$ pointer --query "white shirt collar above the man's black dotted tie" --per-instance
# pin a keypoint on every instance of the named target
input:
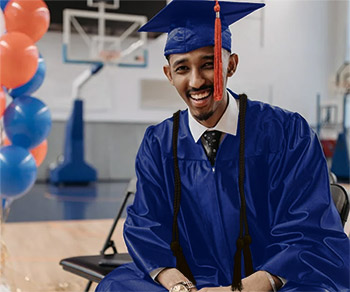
(227, 123)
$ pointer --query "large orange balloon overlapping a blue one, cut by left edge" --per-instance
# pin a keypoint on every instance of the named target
(18, 58)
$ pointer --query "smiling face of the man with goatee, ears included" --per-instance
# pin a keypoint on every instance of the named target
(192, 74)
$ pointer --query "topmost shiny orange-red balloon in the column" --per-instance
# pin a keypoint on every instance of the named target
(31, 17)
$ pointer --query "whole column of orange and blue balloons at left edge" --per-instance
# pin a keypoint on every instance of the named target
(26, 120)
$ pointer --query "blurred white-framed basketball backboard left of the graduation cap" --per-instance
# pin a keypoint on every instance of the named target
(98, 36)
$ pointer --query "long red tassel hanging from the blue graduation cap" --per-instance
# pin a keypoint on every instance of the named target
(218, 81)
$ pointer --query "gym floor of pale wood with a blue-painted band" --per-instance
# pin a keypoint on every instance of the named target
(51, 223)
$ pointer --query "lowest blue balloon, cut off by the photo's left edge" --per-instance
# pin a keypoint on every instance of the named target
(17, 171)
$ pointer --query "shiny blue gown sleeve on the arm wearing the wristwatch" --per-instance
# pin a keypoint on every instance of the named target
(148, 241)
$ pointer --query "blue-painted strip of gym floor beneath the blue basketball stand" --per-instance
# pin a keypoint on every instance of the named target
(46, 202)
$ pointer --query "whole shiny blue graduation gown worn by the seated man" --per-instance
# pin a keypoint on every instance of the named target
(295, 228)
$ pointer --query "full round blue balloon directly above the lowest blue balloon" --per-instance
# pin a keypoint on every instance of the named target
(27, 121)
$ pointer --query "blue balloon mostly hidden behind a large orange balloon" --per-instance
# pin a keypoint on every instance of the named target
(33, 84)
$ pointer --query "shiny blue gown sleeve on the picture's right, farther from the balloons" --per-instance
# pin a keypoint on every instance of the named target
(307, 242)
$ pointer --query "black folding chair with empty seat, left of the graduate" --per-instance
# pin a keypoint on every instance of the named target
(95, 267)
